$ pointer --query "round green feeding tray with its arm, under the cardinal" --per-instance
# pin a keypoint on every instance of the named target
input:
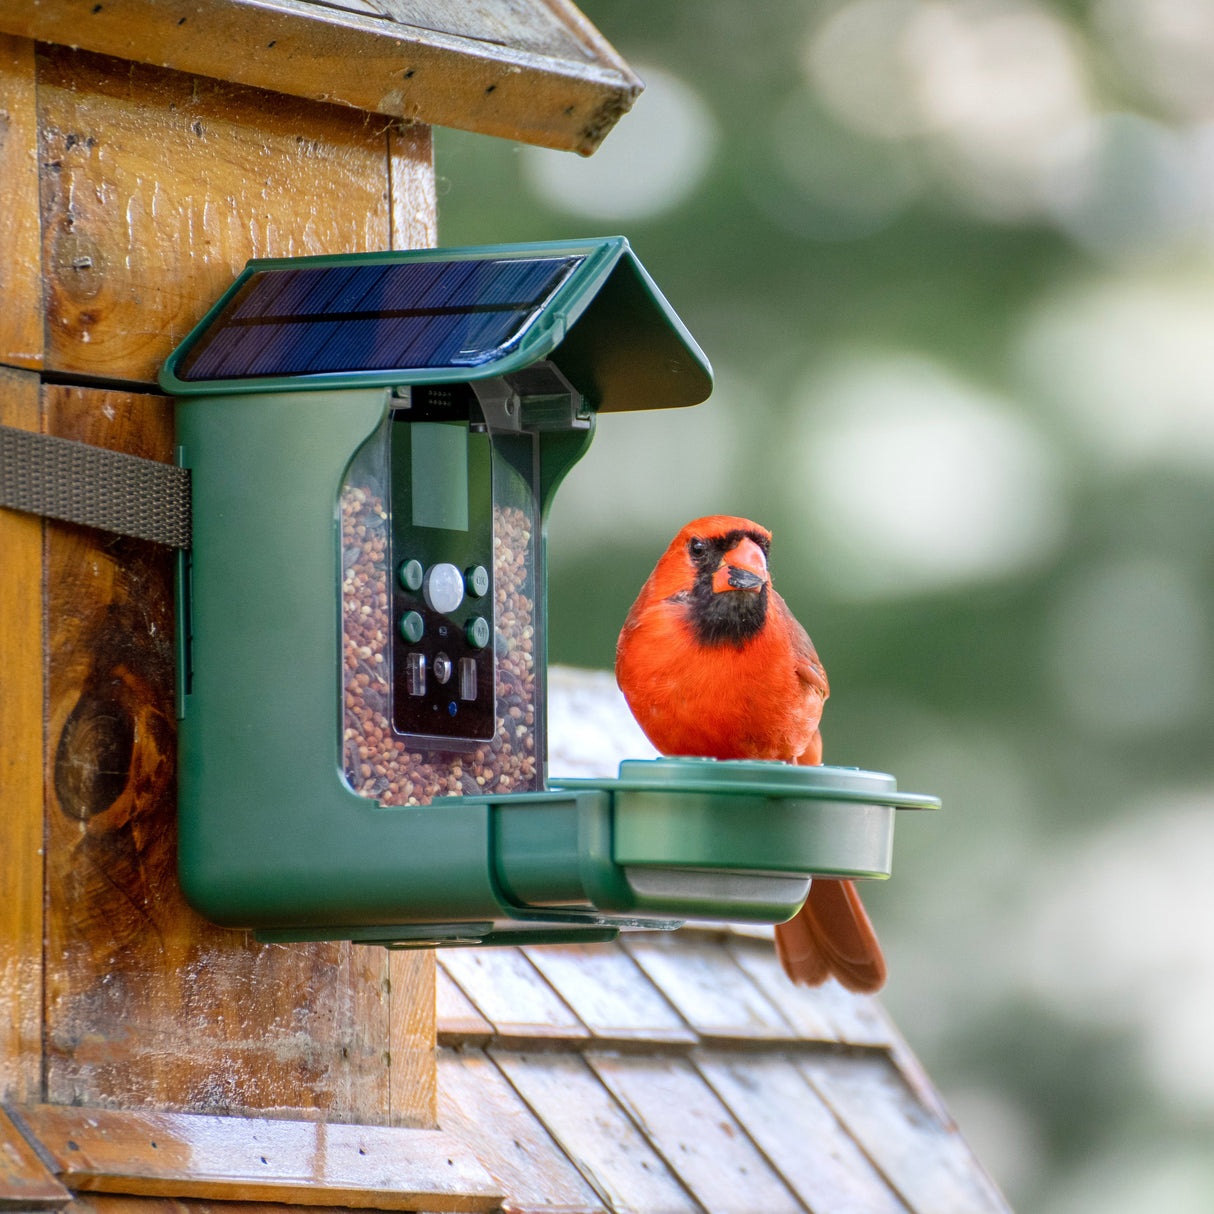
(685, 837)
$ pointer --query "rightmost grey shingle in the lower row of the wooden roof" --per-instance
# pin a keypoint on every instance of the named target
(924, 1159)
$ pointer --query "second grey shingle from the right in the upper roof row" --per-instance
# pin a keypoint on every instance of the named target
(704, 982)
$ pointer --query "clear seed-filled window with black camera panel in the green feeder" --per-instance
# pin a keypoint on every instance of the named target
(440, 614)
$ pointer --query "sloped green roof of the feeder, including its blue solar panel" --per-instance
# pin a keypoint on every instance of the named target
(439, 316)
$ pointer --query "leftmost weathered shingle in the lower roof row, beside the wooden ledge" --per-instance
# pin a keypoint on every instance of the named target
(478, 1105)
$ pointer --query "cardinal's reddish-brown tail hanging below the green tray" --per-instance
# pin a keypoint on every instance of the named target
(832, 935)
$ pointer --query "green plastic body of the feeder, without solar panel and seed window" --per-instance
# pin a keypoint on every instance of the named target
(277, 833)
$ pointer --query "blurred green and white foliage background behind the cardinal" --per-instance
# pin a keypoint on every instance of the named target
(954, 264)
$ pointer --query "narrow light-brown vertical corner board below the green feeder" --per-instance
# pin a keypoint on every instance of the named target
(412, 1074)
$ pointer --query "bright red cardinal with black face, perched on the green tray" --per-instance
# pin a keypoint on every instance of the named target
(713, 663)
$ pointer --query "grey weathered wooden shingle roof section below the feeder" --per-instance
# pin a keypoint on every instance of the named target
(671, 1073)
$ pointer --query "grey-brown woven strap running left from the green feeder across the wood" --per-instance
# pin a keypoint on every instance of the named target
(82, 484)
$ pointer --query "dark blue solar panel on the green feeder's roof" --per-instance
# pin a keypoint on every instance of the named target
(376, 317)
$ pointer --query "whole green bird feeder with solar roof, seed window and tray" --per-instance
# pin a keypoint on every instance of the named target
(375, 444)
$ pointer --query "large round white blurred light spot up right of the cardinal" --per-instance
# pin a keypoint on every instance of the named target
(917, 481)
